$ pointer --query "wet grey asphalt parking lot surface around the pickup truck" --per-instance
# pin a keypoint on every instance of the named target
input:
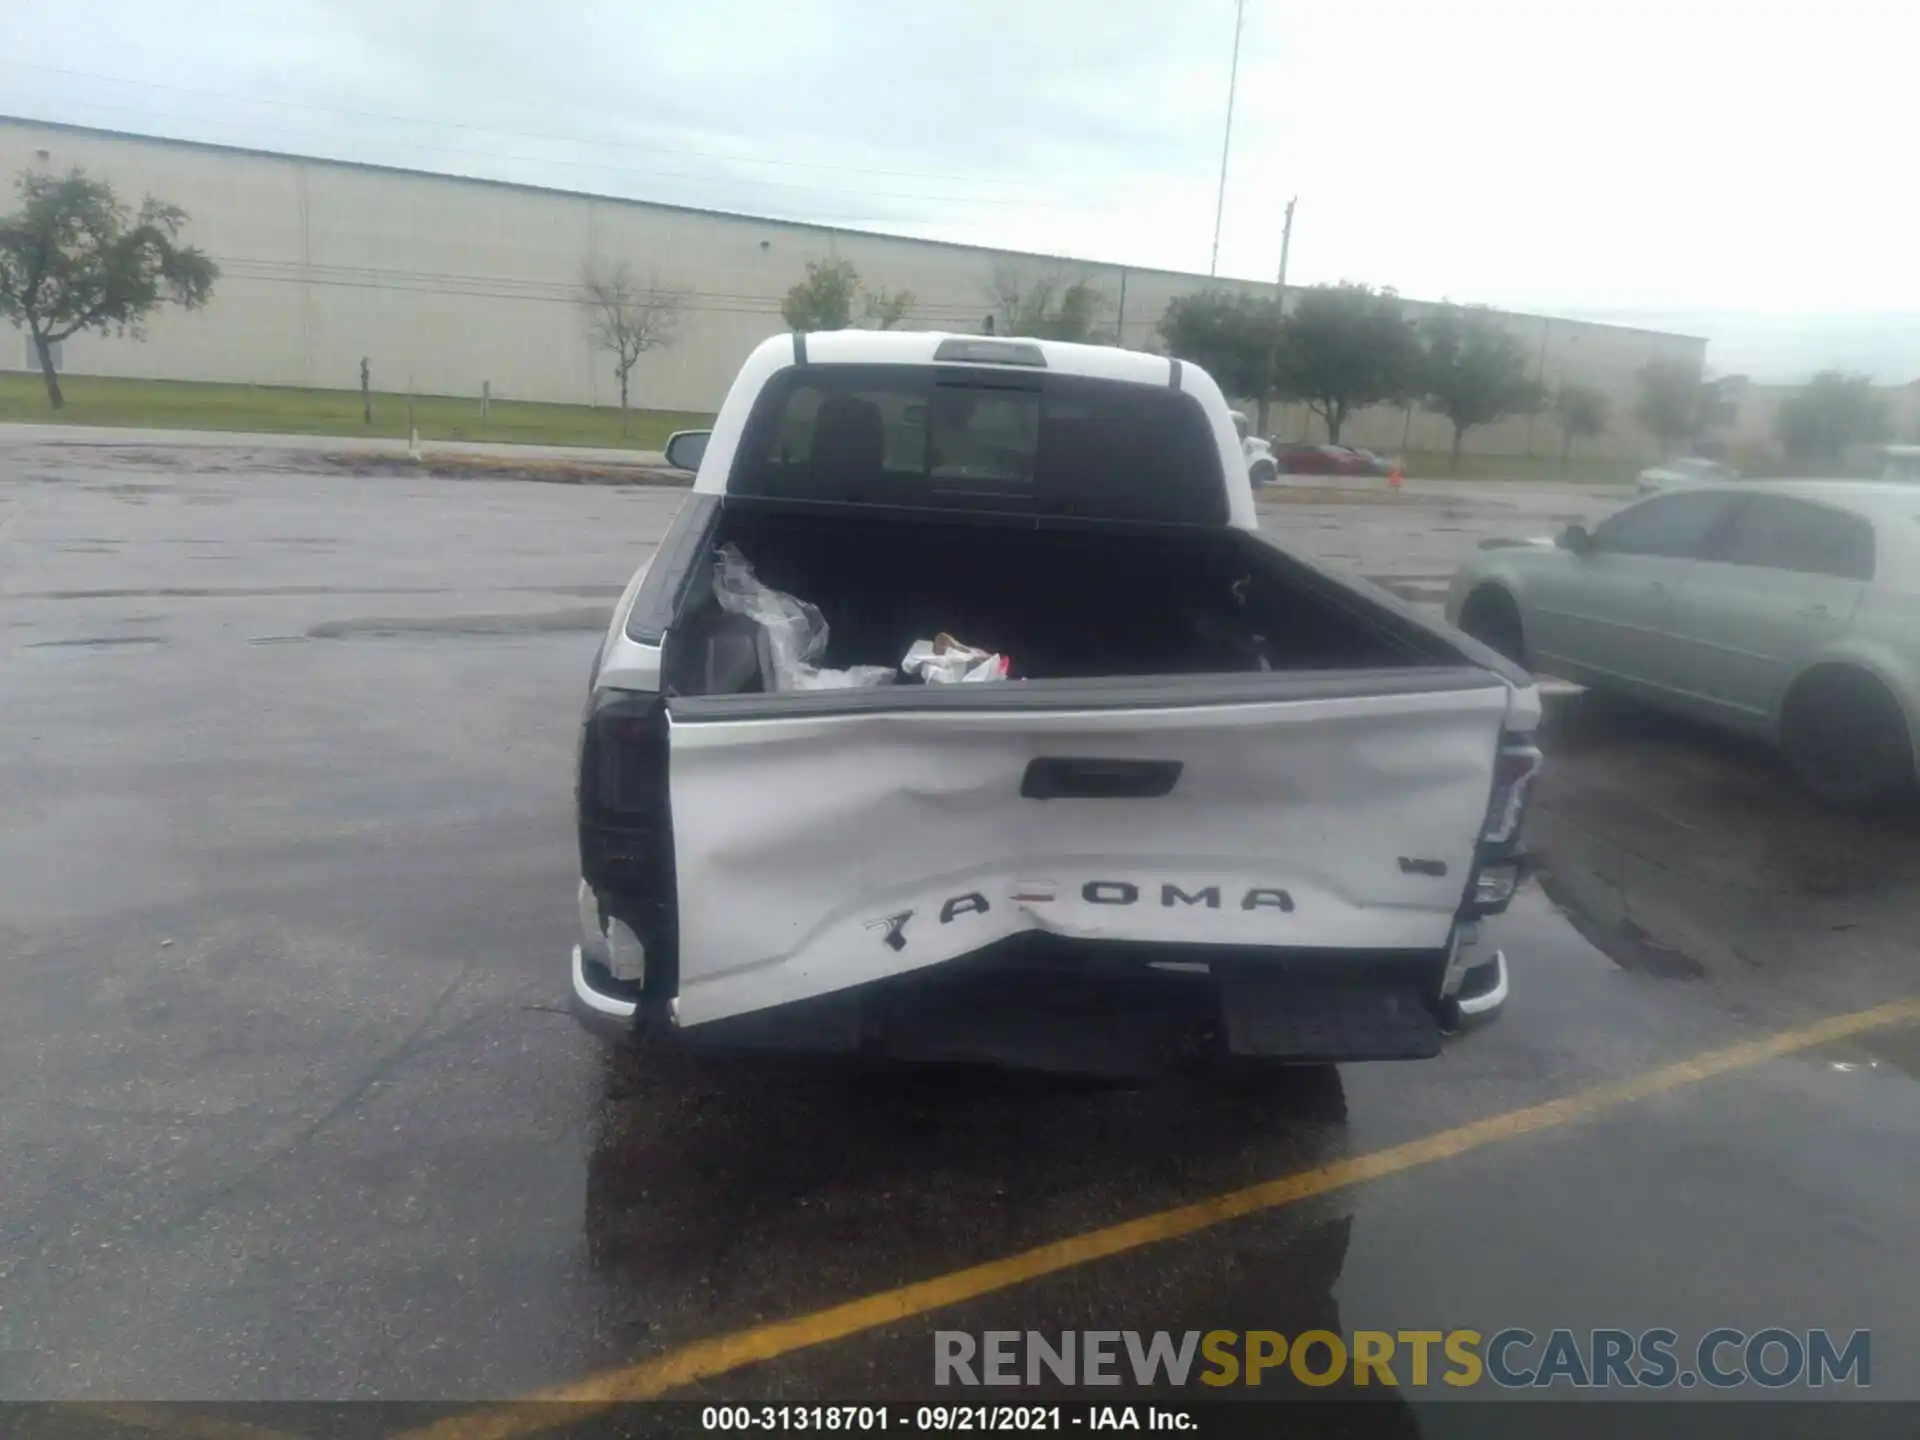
(291, 1107)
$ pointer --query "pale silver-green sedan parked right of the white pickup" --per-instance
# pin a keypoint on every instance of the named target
(1787, 610)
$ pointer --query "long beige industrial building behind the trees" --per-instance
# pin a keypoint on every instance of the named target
(456, 285)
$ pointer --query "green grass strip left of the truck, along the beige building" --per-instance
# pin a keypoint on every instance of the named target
(285, 410)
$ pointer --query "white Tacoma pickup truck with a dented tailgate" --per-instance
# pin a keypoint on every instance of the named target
(1222, 804)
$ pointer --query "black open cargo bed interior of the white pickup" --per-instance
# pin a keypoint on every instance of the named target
(1059, 602)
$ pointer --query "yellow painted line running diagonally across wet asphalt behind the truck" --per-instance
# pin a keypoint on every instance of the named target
(729, 1353)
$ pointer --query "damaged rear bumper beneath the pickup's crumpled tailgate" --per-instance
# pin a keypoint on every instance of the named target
(1111, 1011)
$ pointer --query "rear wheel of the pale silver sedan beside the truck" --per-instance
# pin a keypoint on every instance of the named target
(1848, 740)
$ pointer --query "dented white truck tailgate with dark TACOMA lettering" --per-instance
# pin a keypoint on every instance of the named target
(821, 852)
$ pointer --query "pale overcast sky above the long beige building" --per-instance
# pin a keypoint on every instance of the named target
(1740, 172)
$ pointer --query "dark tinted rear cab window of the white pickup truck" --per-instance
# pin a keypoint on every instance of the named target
(974, 439)
